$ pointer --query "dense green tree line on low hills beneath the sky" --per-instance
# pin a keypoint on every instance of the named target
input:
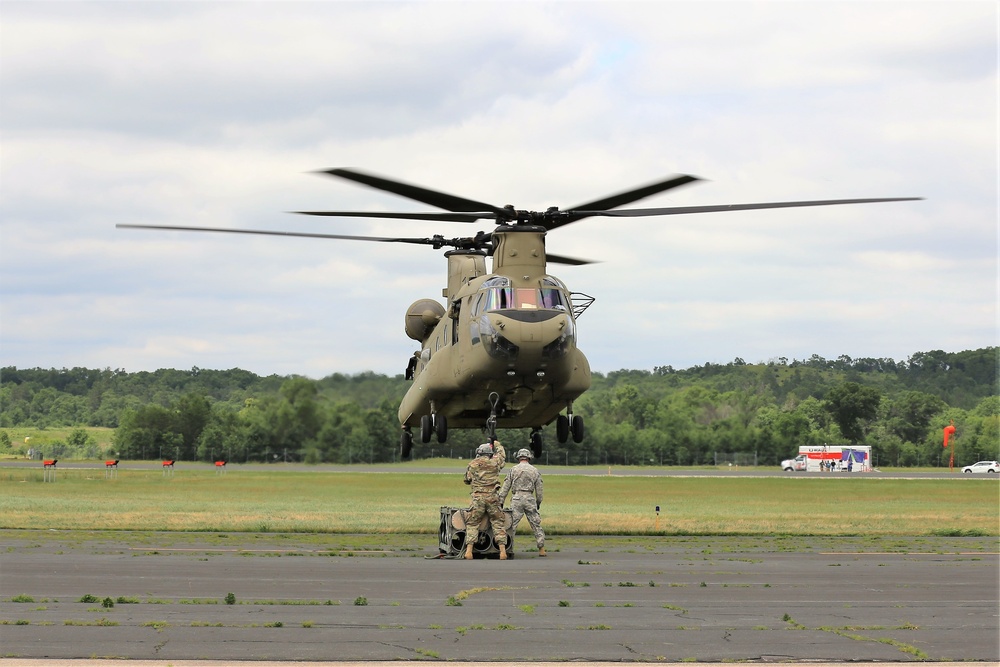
(665, 416)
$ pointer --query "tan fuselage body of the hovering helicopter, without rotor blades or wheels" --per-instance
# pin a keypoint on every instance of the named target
(511, 332)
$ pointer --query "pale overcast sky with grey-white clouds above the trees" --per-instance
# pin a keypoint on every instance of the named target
(216, 114)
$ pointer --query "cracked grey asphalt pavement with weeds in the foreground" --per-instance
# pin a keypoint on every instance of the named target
(596, 599)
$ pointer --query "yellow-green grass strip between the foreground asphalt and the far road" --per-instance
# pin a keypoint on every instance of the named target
(260, 500)
